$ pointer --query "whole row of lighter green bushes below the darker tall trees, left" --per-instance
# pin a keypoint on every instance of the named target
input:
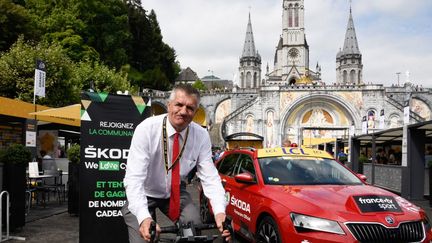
(64, 78)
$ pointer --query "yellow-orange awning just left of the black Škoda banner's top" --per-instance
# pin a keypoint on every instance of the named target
(70, 115)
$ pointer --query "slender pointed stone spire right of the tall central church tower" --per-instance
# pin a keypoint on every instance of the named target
(349, 67)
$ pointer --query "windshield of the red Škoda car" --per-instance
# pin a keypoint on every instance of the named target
(305, 171)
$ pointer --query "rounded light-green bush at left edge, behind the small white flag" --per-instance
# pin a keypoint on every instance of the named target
(17, 73)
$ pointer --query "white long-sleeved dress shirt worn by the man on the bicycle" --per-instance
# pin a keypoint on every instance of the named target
(146, 174)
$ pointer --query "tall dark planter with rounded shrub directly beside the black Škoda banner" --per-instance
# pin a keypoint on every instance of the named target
(73, 154)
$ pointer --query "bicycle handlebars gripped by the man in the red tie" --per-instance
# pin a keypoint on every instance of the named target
(188, 232)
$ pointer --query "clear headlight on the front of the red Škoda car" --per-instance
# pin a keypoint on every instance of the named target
(303, 222)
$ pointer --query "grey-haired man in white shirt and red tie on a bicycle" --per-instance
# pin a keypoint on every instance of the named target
(150, 166)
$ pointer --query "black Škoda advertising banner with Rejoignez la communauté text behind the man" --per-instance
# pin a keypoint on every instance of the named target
(108, 122)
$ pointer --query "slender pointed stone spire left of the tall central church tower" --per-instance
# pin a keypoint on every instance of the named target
(250, 62)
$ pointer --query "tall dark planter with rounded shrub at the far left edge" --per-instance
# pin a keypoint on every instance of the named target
(15, 159)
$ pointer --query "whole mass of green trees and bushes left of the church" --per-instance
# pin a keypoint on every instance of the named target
(82, 42)
